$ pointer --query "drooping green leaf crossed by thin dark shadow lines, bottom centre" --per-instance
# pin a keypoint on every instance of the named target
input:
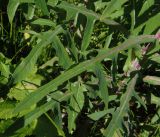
(76, 104)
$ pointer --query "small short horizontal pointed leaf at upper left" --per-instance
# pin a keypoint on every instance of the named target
(41, 21)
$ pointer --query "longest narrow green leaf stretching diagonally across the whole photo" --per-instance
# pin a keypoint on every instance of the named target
(78, 69)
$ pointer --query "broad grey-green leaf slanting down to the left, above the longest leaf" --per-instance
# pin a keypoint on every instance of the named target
(25, 67)
